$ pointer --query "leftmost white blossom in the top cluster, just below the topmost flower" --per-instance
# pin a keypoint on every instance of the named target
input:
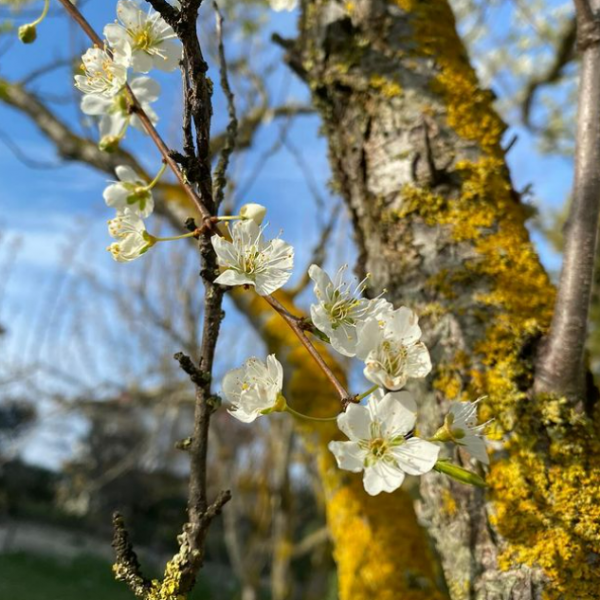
(104, 76)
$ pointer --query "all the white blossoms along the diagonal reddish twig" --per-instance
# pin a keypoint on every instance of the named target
(382, 441)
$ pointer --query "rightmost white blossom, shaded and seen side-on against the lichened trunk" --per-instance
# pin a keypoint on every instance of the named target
(461, 427)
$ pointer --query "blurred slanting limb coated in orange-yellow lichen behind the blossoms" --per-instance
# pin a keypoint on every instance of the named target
(379, 548)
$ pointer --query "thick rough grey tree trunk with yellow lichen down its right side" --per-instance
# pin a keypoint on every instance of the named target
(415, 147)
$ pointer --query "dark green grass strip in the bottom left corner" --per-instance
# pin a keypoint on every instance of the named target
(29, 577)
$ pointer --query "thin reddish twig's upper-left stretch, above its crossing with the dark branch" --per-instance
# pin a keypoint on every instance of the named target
(141, 114)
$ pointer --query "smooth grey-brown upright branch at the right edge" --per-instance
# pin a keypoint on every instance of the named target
(560, 364)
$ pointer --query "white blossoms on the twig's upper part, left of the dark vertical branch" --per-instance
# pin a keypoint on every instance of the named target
(137, 42)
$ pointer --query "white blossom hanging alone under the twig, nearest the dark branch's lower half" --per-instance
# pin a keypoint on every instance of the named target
(254, 389)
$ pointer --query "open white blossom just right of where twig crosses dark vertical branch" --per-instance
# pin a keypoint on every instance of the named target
(250, 260)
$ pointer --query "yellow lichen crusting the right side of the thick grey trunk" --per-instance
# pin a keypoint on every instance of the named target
(547, 492)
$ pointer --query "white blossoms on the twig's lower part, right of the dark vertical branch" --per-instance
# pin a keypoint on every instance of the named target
(381, 433)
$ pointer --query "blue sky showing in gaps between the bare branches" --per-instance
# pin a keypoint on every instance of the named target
(59, 215)
